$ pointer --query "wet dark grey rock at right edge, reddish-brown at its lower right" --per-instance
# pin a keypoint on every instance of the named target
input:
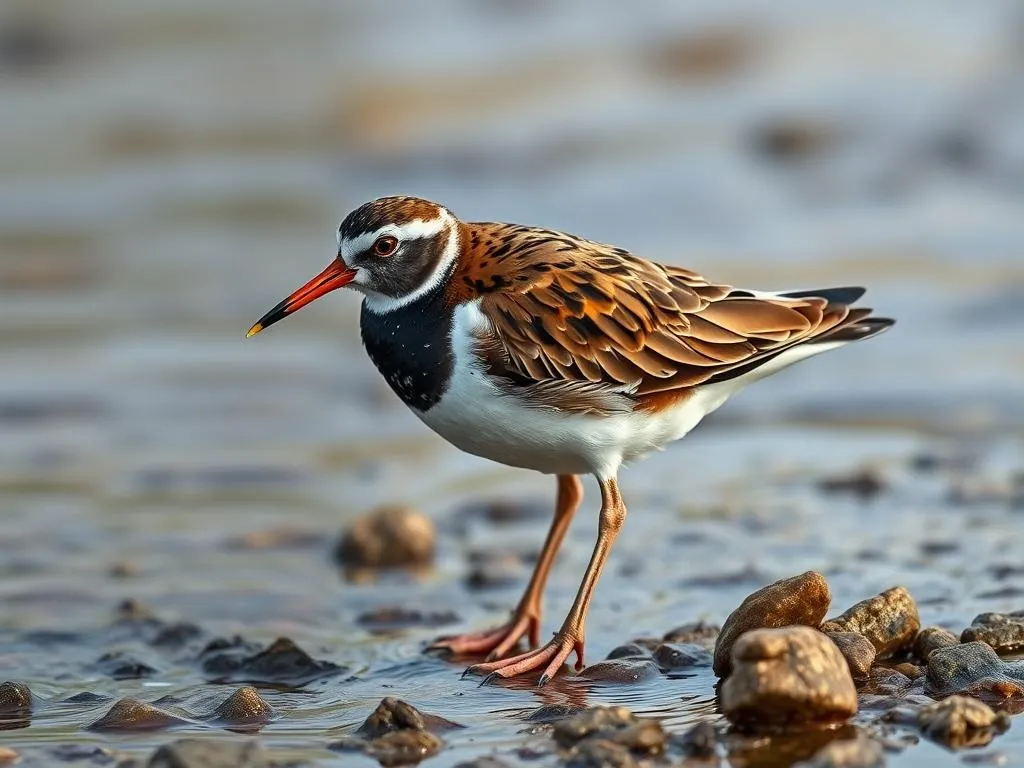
(973, 669)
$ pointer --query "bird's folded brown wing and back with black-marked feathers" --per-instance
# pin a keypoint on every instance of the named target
(570, 315)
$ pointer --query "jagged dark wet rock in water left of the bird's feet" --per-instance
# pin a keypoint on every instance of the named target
(281, 663)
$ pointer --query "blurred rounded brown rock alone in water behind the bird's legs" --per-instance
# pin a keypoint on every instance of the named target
(389, 537)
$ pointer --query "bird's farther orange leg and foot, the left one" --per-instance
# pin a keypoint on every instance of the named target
(527, 618)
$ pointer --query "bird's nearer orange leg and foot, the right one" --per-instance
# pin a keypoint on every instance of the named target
(570, 638)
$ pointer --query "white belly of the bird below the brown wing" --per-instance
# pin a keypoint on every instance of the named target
(476, 416)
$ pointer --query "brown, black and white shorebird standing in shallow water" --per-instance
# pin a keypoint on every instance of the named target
(546, 352)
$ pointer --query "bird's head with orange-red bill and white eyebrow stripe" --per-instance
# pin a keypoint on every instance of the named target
(394, 250)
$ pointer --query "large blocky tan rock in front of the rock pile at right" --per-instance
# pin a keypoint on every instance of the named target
(788, 676)
